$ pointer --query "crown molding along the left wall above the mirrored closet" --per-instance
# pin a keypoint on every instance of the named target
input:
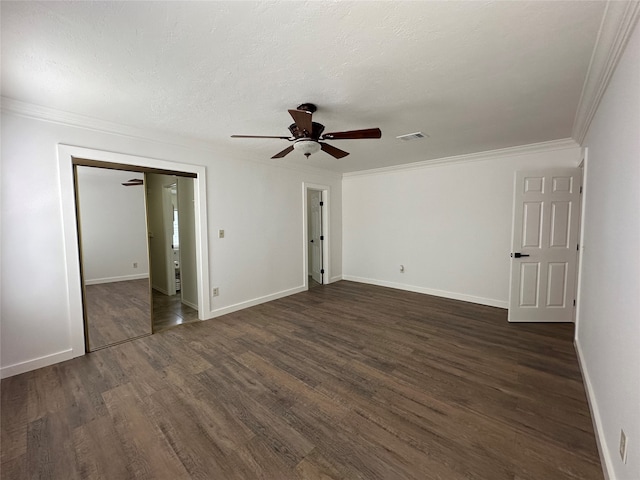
(59, 117)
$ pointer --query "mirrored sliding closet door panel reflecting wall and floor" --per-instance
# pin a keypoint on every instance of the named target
(115, 259)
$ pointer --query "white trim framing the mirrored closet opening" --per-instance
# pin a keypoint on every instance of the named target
(70, 229)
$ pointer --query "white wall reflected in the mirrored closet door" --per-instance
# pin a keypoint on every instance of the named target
(113, 225)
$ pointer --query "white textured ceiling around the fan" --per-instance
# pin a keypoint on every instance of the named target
(474, 76)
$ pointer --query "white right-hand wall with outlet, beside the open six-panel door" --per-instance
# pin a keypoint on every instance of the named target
(608, 323)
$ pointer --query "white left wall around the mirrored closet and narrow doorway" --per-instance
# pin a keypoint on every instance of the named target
(258, 204)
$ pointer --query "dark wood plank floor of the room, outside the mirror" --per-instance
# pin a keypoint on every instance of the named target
(347, 381)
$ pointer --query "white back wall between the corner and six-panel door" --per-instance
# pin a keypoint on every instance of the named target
(448, 224)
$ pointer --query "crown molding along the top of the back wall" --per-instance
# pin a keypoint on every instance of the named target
(532, 148)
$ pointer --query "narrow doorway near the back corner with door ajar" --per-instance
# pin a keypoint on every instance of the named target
(316, 236)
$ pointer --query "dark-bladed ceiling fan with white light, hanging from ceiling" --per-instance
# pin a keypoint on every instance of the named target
(306, 134)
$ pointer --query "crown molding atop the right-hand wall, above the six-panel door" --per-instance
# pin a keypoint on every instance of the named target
(618, 22)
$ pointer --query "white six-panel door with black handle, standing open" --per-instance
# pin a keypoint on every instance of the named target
(544, 245)
